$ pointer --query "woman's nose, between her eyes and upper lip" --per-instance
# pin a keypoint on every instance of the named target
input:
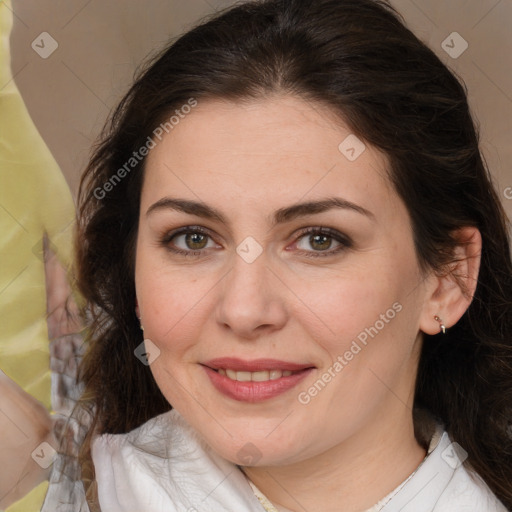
(251, 300)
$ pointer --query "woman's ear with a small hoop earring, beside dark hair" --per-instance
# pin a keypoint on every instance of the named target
(450, 294)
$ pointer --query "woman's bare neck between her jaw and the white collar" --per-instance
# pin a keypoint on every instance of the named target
(357, 473)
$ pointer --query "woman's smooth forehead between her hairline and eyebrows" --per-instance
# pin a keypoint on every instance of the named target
(274, 150)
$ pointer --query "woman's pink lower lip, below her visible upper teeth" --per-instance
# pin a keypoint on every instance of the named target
(254, 392)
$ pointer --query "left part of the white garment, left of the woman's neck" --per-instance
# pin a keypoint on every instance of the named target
(164, 466)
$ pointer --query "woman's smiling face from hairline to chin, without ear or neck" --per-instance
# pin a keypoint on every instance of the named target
(276, 274)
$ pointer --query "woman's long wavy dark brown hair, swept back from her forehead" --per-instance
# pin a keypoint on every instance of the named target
(357, 58)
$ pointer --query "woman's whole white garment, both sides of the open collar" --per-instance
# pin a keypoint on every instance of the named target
(165, 466)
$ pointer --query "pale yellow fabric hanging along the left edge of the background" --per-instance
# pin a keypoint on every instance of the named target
(34, 200)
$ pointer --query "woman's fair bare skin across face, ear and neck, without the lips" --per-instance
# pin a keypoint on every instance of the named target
(302, 300)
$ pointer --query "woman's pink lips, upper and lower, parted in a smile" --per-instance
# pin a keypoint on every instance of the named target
(252, 391)
